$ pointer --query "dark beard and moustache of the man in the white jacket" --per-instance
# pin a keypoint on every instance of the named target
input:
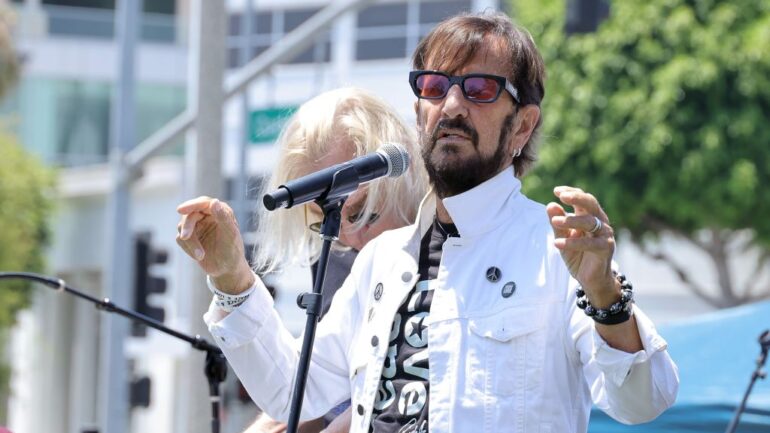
(452, 178)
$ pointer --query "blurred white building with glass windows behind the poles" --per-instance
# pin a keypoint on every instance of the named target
(63, 106)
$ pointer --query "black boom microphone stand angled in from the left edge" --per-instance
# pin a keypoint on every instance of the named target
(216, 364)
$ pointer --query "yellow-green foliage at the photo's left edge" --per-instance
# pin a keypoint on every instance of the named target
(25, 205)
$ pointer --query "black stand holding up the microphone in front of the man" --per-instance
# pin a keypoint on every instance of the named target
(312, 302)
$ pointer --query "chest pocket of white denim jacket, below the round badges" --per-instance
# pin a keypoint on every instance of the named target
(509, 347)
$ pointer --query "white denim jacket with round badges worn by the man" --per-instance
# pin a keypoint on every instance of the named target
(501, 360)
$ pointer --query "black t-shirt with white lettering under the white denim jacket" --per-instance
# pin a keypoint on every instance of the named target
(401, 404)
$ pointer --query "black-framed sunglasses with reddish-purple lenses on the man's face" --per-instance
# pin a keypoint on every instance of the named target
(476, 87)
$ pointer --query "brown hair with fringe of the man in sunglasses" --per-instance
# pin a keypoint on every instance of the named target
(454, 43)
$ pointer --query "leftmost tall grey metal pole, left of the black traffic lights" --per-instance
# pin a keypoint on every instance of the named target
(113, 371)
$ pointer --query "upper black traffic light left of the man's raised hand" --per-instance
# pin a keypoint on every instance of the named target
(146, 282)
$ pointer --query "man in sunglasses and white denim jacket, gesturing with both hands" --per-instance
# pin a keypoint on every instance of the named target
(492, 312)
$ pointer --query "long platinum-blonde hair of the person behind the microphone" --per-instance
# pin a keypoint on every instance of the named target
(365, 121)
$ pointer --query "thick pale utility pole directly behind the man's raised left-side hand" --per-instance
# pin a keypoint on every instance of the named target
(203, 176)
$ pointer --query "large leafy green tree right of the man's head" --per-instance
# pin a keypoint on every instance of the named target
(662, 113)
